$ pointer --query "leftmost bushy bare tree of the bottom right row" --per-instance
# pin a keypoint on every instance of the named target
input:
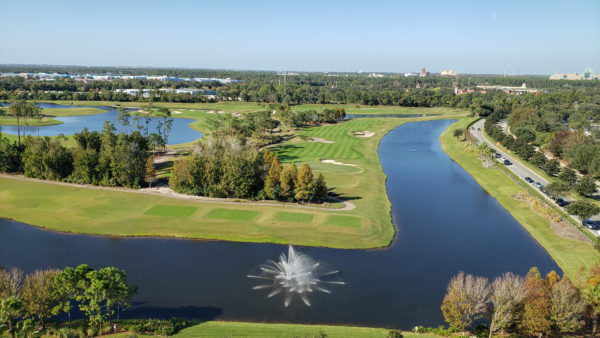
(466, 300)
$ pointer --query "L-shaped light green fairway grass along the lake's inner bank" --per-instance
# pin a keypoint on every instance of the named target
(122, 213)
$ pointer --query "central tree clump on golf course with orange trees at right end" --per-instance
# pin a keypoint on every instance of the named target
(222, 166)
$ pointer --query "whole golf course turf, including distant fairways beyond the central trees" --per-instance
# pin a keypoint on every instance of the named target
(345, 153)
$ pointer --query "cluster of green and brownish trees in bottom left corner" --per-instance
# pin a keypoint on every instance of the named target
(28, 302)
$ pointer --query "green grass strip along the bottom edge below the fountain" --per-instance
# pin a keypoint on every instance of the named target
(243, 329)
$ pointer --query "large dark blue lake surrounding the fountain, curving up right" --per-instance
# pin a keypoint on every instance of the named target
(445, 223)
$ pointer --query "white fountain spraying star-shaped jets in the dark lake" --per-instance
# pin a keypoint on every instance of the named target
(295, 274)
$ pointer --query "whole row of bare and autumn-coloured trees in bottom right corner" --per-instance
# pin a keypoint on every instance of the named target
(530, 306)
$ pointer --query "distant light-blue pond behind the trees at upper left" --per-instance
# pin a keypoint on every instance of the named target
(181, 132)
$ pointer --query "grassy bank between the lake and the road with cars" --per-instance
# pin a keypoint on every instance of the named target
(569, 254)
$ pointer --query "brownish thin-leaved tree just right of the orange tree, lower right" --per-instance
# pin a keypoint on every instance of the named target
(566, 306)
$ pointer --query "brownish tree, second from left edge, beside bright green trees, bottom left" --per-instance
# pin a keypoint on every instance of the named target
(39, 294)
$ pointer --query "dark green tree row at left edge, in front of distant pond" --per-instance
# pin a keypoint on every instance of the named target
(105, 158)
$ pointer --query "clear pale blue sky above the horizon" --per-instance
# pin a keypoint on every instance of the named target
(539, 37)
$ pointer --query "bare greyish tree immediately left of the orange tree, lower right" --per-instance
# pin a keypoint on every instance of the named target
(508, 291)
